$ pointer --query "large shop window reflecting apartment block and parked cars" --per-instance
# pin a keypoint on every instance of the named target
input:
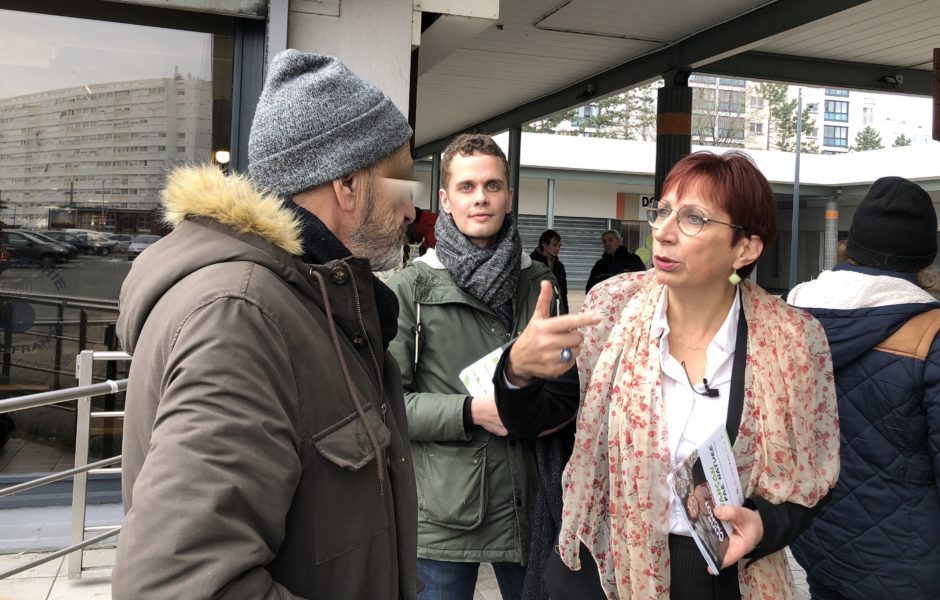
(86, 111)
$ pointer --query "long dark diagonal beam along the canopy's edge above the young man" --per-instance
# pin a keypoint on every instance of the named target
(716, 43)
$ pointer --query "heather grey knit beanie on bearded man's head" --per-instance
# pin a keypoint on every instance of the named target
(316, 120)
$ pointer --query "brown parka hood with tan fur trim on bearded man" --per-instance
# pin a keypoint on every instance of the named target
(216, 219)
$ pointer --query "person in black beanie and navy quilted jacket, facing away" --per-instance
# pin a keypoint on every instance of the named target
(878, 536)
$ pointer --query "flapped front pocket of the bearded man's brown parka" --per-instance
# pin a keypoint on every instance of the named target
(347, 484)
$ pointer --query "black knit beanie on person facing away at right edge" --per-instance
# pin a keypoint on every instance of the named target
(894, 227)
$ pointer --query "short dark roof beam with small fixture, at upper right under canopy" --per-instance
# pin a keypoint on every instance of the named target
(828, 73)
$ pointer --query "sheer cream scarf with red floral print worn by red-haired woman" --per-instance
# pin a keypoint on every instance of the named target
(616, 496)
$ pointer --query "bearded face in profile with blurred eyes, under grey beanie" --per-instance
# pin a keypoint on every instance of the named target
(386, 211)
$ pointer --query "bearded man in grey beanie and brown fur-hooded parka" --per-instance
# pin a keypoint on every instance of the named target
(265, 451)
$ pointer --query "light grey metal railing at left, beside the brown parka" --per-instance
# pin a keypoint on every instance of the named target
(83, 393)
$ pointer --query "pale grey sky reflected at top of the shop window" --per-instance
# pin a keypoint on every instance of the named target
(42, 52)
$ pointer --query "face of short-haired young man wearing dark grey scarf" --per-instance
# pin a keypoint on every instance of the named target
(477, 196)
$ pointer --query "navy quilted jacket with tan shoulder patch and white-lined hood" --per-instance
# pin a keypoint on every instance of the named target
(879, 534)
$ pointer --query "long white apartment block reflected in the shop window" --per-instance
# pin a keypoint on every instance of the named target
(104, 145)
